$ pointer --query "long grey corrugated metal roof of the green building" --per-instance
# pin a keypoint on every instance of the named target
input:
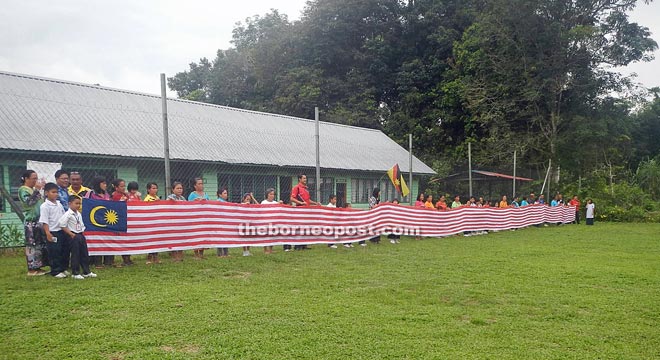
(125, 123)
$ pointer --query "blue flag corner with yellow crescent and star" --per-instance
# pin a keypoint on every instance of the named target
(101, 215)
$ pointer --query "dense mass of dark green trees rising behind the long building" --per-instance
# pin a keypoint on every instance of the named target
(536, 76)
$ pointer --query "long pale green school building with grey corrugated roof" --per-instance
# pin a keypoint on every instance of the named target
(119, 134)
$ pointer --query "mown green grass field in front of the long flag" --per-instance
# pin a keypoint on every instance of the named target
(557, 292)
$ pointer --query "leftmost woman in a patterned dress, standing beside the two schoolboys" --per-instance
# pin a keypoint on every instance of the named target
(35, 246)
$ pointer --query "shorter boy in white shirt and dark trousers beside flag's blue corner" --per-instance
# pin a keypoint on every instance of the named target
(72, 226)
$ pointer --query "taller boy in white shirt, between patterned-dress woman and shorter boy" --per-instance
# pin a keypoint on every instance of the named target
(50, 213)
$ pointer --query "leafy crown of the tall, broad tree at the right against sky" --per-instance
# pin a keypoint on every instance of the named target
(527, 69)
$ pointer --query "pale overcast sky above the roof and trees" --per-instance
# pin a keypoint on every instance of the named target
(127, 44)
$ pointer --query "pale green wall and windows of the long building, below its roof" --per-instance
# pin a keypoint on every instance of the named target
(352, 188)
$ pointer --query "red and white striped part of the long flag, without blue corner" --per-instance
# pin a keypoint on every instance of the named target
(167, 226)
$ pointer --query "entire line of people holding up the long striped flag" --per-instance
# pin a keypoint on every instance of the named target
(54, 228)
